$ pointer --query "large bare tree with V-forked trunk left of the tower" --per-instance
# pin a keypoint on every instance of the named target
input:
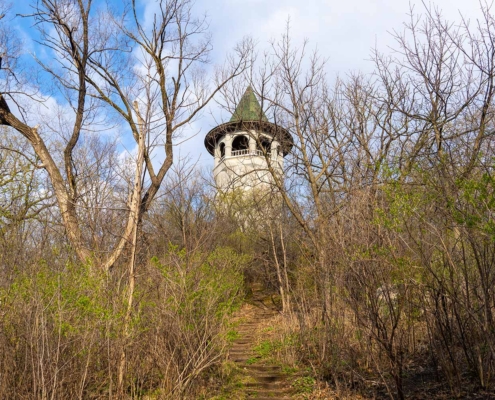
(96, 52)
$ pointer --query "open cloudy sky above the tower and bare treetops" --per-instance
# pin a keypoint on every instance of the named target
(343, 31)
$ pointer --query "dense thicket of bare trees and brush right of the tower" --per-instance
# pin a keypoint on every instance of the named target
(377, 161)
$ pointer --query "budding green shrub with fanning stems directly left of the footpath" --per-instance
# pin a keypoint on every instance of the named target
(199, 291)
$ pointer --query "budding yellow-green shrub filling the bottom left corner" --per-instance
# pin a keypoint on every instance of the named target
(59, 320)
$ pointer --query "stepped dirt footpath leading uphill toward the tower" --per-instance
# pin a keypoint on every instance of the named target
(262, 379)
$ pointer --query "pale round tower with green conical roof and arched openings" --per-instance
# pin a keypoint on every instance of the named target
(245, 147)
